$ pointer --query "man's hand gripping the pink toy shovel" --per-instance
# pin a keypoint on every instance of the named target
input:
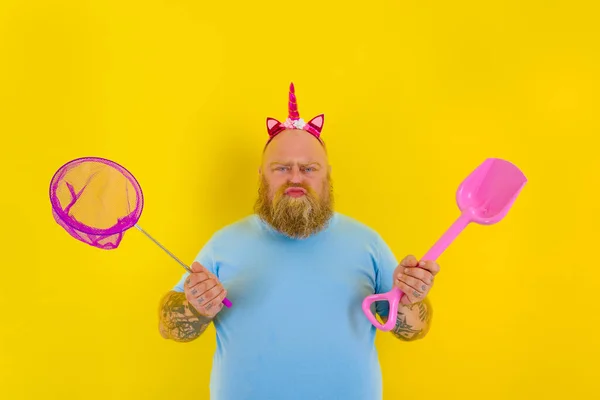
(415, 278)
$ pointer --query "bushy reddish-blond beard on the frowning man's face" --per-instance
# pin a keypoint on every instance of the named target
(295, 217)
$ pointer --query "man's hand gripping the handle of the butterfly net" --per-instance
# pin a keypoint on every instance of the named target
(203, 291)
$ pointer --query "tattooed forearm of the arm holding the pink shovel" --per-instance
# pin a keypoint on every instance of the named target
(413, 321)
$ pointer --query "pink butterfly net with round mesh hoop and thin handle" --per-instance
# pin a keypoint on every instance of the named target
(96, 200)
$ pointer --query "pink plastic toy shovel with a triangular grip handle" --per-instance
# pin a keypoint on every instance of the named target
(484, 197)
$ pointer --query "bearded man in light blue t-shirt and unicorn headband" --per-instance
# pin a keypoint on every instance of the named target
(296, 272)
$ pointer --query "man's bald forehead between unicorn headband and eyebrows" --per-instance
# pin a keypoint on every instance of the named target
(295, 146)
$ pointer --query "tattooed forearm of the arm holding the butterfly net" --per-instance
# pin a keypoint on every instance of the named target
(178, 320)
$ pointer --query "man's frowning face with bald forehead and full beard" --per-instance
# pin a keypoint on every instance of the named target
(295, 194)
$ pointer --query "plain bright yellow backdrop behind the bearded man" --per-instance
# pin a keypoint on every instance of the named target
(416, 94)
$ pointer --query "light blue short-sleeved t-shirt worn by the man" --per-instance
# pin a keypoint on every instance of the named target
(296, 330)
